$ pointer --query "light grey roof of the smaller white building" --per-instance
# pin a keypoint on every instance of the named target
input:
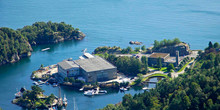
(67, 64)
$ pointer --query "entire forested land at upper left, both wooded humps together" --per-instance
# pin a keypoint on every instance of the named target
(15, 44)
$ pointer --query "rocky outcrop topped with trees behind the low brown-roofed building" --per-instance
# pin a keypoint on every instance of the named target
(183, 49)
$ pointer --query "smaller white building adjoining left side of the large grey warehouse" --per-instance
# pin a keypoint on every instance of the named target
(68, 68)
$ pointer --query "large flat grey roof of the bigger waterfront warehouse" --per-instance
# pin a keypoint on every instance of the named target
(94, 64)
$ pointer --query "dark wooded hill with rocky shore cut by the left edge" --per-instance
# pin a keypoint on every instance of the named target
(13, 46)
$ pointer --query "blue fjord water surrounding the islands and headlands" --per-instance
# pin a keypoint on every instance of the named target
(106, 23)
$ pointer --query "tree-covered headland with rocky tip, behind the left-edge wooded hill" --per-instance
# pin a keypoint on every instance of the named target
(41, 32)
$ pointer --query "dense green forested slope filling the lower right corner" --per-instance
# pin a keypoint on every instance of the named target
(197, 89)
